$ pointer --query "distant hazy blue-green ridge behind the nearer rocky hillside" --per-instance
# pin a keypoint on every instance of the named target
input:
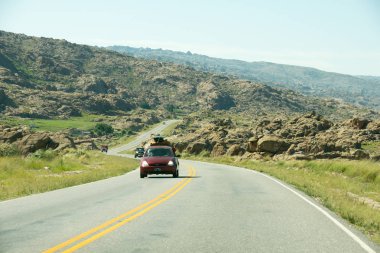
(360, 90)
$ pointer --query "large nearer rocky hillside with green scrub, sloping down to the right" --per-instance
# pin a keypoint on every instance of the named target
(47, 78)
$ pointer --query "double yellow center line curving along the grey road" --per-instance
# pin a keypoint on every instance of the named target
(95, 233)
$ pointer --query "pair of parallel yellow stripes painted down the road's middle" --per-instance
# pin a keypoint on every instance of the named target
(151, 204)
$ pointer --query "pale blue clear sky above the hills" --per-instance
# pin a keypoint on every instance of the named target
(333, 35)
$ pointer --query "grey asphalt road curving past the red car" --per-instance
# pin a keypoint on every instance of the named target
(209, 208)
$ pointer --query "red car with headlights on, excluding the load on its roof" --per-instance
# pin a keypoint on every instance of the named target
(159, 160)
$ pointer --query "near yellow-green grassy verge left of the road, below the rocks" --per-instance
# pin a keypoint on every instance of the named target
(47, 170)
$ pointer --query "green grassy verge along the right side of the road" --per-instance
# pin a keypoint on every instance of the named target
(351, 189)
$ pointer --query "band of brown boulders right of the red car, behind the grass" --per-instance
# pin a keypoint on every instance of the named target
(306, 137)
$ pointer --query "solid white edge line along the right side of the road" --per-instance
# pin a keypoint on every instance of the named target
(335, 221)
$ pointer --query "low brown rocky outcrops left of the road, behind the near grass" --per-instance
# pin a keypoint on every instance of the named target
(26, 140)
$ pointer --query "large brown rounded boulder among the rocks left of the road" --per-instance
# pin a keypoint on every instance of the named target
(35, 141)
